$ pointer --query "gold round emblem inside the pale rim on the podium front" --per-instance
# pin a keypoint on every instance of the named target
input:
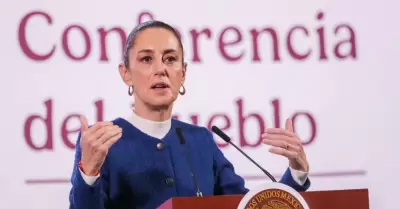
(273, 199)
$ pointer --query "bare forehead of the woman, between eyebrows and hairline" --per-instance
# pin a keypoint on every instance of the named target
(156, 39)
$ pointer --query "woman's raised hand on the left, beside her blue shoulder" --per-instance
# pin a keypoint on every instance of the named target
(95, 143)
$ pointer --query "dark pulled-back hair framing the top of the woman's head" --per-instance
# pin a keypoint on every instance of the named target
(149, 24)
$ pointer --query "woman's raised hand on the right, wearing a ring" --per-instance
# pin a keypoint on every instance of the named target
(285, 142)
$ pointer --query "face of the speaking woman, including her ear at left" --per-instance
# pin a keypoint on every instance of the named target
(155, 69)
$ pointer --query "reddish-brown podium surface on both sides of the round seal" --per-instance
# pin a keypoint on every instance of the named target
(337, 199)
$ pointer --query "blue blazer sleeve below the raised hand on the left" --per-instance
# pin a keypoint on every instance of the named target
(82, 195)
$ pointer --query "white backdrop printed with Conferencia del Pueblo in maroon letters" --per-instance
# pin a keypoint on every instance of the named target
(335, 61)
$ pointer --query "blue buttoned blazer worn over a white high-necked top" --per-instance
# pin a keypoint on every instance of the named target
(143, 172)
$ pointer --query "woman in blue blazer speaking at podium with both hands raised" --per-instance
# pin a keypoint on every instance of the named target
(139, 162)
